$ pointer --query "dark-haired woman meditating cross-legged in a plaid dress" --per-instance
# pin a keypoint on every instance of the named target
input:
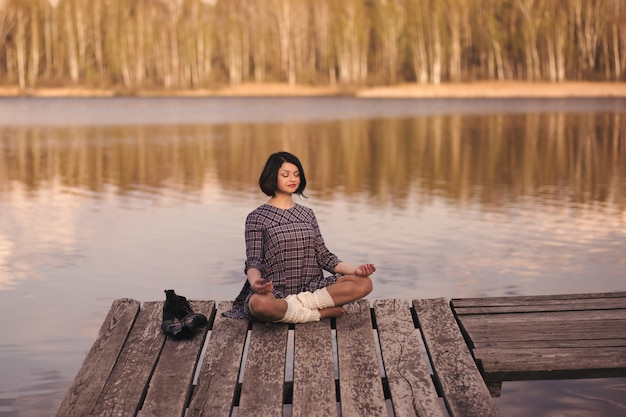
(286, 256)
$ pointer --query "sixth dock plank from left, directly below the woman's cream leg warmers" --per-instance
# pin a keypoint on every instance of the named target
(314, 392)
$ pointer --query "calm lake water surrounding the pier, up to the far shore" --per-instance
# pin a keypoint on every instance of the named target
(115, 197)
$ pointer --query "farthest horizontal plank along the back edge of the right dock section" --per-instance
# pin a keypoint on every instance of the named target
(582, 301)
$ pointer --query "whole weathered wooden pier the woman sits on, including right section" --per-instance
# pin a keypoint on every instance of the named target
(427, 357)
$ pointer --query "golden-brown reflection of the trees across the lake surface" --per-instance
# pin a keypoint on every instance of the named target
(579, 158)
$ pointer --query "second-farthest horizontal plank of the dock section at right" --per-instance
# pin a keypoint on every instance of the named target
(581, 316)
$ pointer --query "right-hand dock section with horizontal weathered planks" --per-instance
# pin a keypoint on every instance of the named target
(546, 337)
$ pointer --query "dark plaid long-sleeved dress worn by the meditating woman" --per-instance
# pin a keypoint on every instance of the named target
(288, 248)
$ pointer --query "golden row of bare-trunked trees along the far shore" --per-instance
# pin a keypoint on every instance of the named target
(131, 45)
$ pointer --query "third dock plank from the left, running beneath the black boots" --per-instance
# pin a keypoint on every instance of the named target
(170, 385)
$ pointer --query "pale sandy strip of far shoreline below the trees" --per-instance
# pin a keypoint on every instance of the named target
(486, 89)
